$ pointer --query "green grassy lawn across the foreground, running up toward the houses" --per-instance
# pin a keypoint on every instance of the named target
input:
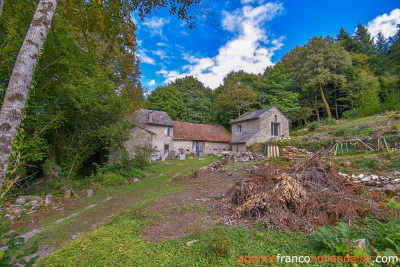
(118, 242)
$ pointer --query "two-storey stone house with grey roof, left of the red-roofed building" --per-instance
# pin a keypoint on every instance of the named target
(153, 128)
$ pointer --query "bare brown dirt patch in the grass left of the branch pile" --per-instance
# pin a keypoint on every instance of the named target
(192, 211)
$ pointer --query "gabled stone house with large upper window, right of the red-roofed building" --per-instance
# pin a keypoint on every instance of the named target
(258, 126)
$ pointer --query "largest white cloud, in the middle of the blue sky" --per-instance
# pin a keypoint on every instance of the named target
(246, 51)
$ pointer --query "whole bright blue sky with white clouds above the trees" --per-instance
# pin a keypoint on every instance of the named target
(248, 35)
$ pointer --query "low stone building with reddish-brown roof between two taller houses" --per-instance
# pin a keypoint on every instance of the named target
(201, 139)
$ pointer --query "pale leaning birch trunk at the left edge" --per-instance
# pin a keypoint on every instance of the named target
(20, 80)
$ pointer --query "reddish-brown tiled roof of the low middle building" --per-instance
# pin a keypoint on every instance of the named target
(200, 132)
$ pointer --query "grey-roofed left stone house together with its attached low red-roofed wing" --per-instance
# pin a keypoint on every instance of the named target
(168, 138)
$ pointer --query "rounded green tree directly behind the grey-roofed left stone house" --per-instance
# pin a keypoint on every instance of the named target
(168, 99)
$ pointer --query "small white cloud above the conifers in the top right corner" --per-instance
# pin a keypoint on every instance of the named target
(387, 24)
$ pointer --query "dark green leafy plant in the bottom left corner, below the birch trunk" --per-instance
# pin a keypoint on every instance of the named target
(12, 245)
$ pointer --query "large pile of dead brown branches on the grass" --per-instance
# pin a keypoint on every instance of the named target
(303, 197)
